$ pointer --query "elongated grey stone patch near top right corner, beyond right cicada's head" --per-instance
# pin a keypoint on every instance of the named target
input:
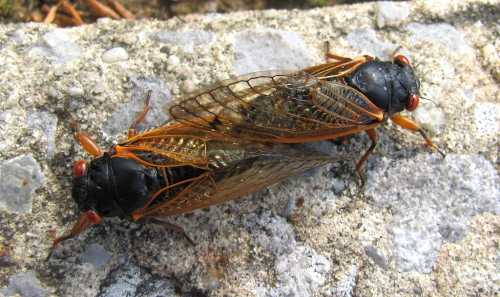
(444, 34)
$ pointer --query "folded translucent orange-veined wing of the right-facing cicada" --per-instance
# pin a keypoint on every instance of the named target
(277, 108)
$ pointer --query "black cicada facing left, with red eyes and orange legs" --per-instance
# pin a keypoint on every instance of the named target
(174, 169)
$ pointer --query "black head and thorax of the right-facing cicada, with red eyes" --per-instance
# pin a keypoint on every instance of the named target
(391, 86)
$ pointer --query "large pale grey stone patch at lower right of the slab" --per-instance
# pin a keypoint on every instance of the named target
(434, 203)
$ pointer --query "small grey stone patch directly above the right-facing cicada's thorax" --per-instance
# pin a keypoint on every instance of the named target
(367, 42)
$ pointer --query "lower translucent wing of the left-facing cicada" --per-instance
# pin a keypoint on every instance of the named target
(239, 179)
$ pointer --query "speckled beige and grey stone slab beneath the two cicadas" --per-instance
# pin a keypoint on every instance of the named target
(421, 225)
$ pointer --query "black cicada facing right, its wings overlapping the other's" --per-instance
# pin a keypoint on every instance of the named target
(332, 100)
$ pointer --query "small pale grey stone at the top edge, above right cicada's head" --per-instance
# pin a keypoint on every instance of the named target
(391, 13)
